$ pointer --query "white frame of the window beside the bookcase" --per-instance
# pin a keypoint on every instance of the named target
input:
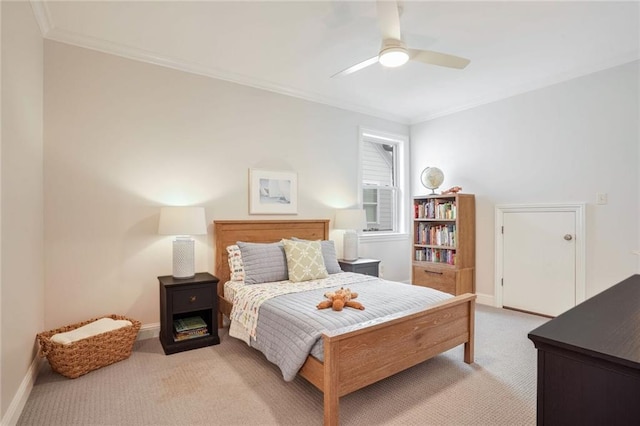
(401, 143)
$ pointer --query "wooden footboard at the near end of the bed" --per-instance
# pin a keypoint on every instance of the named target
(359, 356)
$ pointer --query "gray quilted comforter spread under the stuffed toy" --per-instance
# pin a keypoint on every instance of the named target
(290, 327)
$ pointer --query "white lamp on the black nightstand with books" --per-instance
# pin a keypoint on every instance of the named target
(182, 222)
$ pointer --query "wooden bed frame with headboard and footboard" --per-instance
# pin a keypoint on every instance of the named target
(357, 356)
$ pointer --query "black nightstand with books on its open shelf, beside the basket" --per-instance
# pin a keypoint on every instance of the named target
(185, 298)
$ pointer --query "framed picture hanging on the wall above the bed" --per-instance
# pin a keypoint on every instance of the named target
(273, 192)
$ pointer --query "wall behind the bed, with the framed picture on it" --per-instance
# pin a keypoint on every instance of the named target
(123, 138)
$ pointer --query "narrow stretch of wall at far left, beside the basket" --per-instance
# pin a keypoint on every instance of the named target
(21, 251)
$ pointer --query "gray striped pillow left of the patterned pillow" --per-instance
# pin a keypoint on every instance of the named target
(263, 262)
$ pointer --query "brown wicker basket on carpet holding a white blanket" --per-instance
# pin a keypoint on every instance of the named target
(85, 355)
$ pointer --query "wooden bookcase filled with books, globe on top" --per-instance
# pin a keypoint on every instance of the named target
(444, 242)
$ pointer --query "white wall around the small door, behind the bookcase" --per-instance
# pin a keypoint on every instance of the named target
(563, 143)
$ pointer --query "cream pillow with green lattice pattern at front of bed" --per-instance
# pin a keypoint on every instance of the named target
(304, 260)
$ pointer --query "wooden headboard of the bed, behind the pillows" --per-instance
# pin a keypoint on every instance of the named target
(228, 232)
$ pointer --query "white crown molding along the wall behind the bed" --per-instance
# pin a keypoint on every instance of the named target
(93, 43)
